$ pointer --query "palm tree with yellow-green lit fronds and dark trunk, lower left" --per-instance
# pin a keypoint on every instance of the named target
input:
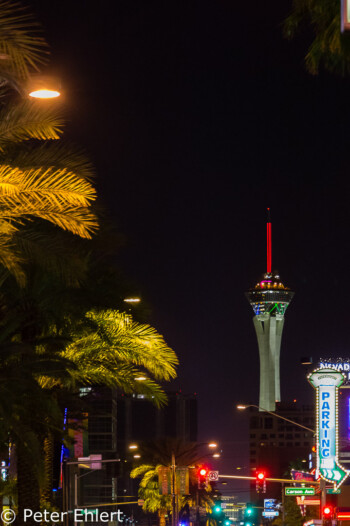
(60, 348)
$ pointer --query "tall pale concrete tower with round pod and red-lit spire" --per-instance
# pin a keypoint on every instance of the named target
(269, 300)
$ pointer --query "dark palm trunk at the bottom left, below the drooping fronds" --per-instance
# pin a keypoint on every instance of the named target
(27, 486)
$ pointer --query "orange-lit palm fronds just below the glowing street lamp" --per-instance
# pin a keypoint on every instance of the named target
(39, 180)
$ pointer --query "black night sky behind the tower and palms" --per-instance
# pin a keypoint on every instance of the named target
(198, 115)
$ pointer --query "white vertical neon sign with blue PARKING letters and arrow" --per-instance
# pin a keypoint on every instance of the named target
(326, 382)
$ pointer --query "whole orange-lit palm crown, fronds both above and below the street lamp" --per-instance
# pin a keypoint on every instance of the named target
(39, 180)
